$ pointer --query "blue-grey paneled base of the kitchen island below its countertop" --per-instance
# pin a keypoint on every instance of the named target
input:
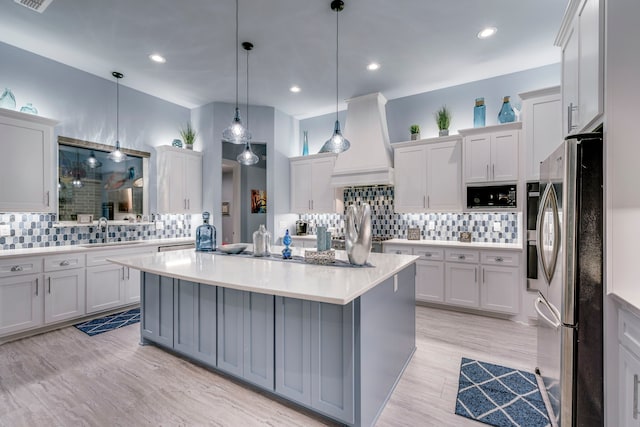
(339, 361)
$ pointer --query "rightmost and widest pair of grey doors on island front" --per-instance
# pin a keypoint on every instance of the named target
(315, 355)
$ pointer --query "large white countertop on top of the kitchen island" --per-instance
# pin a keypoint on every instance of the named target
(334, 285)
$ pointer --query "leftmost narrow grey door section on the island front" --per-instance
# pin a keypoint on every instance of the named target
(156, 322)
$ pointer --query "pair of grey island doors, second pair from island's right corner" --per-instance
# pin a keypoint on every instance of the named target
(245, 335)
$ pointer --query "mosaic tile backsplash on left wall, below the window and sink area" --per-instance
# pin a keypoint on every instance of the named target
(33, 230)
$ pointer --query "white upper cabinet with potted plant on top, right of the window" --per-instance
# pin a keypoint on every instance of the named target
(179, 180)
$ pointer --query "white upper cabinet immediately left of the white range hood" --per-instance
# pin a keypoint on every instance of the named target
(311, 189)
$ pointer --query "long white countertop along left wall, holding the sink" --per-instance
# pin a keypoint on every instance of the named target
(57, 250)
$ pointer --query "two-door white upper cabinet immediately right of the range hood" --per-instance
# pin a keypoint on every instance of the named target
(428, 175)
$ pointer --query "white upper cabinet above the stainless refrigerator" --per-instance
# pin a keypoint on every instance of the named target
(581, 40)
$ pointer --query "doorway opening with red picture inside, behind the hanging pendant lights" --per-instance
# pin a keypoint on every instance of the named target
(240, 185)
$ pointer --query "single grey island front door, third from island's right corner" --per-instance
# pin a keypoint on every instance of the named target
(258, 337)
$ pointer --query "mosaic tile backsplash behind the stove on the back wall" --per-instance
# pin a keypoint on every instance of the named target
(495, 227)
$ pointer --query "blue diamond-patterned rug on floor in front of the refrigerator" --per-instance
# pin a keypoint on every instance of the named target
(499, 396)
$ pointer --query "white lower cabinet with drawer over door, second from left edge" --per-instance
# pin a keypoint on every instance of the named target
(64, 282)
